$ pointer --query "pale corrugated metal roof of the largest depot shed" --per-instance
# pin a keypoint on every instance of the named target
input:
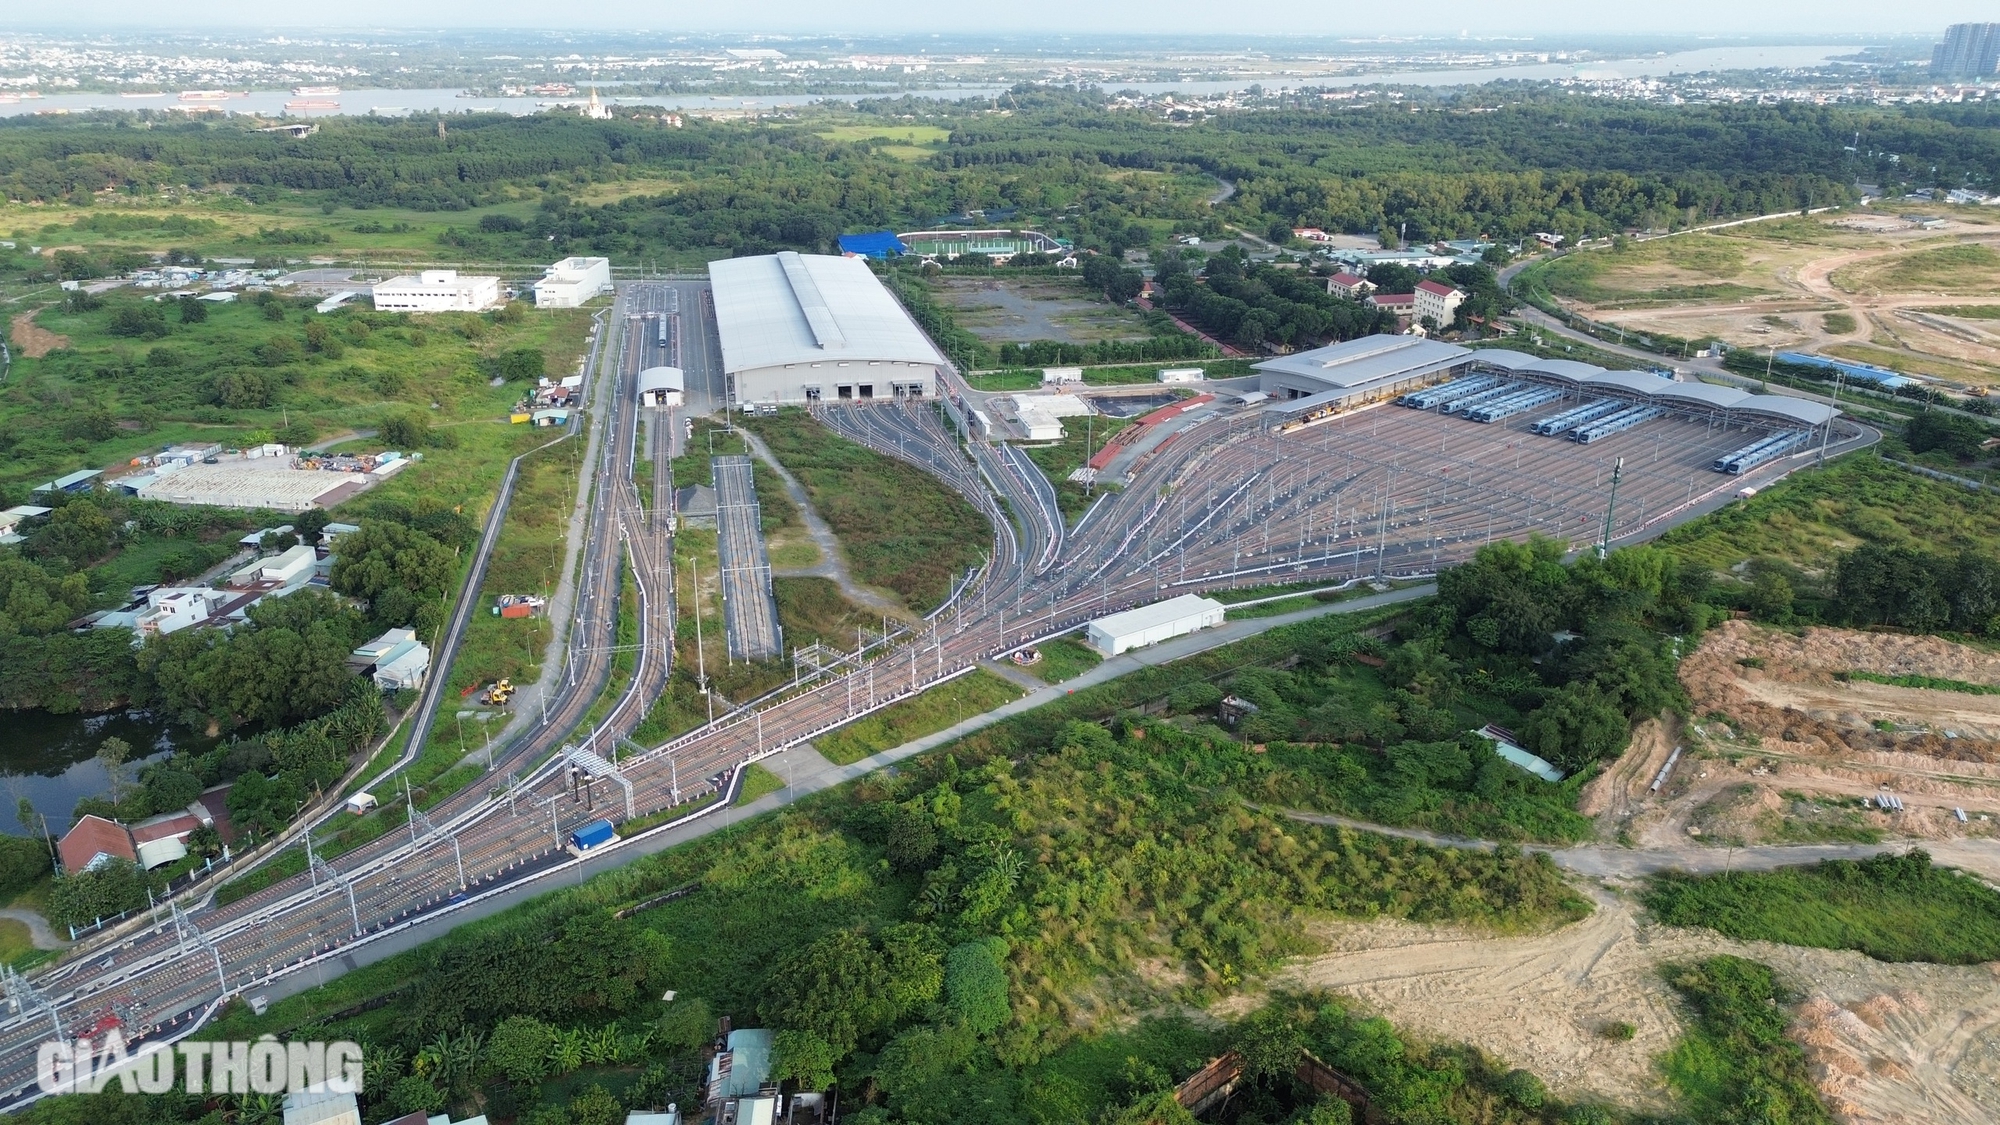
(787, 309)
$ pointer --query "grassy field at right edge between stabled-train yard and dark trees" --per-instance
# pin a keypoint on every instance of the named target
(1819, 513)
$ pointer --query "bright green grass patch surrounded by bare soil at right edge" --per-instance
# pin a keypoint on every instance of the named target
(1893, 908)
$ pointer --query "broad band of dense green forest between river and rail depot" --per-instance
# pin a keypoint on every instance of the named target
(1521, 163)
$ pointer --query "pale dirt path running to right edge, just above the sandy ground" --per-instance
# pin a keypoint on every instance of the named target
(1601, 862)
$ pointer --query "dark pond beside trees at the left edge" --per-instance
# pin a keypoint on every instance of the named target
(51, 760)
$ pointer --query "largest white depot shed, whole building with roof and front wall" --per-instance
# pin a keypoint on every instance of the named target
(811, 327)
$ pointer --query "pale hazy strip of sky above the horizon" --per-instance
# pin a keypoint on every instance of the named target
(861, 17)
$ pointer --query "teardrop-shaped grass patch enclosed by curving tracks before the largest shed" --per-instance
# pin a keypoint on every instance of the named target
(899, 527)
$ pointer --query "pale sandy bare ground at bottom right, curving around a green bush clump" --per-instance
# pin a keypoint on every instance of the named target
(1891, 1044)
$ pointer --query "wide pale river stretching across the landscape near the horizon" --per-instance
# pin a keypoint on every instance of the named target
(399, 103)
